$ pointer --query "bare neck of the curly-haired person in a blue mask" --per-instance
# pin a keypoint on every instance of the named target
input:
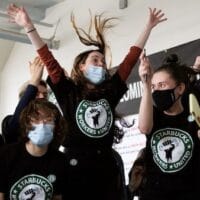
(35, 150)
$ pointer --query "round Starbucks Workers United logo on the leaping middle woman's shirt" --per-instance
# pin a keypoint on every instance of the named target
(94, 118)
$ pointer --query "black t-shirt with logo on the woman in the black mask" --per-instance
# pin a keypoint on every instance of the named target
(172, 158)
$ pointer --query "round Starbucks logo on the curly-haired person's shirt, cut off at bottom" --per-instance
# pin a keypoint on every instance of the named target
(32, 187)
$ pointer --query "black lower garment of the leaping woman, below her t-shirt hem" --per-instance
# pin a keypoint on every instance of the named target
(93, 174)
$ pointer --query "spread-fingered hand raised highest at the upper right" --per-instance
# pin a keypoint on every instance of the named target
(155, 17)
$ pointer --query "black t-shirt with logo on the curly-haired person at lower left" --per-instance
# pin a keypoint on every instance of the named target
(24, 176)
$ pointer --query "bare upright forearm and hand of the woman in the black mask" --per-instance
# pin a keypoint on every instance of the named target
(145, 123)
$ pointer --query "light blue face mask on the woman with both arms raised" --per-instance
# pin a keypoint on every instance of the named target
(95, 74)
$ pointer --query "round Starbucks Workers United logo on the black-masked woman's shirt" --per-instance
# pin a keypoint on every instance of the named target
(172, 149)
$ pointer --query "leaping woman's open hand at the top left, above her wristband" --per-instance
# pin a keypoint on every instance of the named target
(19, 16)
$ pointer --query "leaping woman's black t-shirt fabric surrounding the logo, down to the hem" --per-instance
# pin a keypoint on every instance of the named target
(69, 97)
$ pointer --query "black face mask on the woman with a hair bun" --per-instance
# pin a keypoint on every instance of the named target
(164, 99)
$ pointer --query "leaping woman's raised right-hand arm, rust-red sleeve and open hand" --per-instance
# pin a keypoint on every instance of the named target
(155, 17)
